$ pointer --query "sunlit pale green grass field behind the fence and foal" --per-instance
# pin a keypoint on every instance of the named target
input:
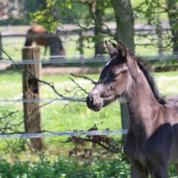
(63, 116)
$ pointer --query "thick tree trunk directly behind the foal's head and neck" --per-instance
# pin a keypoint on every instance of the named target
(125, 33)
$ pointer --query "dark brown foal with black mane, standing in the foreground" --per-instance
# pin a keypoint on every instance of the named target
(152, 140)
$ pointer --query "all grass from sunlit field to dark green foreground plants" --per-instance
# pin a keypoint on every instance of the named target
(62, 116)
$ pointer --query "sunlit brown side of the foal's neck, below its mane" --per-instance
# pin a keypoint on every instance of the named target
(143, 106)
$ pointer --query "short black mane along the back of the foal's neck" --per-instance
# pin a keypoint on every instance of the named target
(152, 83)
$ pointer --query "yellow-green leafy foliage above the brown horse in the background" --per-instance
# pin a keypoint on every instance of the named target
(59, 12)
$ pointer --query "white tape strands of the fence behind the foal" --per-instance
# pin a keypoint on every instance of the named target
(54, 60)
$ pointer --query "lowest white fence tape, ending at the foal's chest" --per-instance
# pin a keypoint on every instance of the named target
(65, 133)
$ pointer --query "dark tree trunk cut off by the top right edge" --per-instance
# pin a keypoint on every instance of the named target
(172, 7)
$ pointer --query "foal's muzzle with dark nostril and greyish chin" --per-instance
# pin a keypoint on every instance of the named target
(94, 102)
